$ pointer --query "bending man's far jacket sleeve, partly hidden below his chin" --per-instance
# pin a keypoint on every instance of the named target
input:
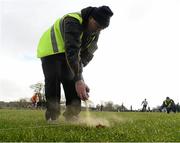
(87, 54)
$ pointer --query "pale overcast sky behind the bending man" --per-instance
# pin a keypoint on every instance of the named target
(138, 55)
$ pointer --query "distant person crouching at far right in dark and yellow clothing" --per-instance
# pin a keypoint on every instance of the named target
(169, 105)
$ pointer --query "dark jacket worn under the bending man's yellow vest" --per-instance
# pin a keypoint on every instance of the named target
(79, 52)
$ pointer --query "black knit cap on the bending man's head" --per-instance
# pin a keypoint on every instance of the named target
(102, 15)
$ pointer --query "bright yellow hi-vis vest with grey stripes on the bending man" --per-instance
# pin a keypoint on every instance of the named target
(52, 40)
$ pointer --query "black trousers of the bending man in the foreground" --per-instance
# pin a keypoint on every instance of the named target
(57, 72)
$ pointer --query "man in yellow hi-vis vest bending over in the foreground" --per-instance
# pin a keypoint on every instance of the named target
(65, 48)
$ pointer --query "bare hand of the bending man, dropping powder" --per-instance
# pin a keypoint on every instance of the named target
(82, 90)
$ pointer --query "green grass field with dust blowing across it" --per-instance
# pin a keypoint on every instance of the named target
(29, 125)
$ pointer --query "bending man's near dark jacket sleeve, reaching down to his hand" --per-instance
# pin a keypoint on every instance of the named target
(72, 41)
